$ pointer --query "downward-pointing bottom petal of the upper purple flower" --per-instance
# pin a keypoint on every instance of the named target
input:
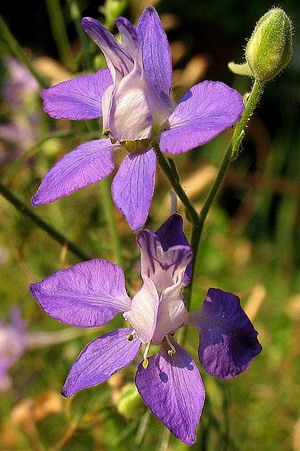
(133, 187)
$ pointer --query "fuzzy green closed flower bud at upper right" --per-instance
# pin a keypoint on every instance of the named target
(269, 49)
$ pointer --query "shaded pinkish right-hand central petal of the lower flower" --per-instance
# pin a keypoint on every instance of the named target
(171, 314)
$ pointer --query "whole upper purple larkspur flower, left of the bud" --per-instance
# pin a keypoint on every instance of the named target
(133, 97)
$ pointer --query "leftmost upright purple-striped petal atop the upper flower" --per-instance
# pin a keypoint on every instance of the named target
(119, 61)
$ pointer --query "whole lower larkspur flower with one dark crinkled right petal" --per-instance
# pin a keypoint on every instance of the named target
(92, 293)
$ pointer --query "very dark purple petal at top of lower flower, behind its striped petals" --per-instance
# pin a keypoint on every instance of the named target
(171, 234)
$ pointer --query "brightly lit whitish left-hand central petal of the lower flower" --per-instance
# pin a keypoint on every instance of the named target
(143, 311)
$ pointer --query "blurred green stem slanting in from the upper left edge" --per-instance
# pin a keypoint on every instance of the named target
(15, 48)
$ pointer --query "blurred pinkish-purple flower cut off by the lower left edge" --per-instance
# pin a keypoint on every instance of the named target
(13, 342)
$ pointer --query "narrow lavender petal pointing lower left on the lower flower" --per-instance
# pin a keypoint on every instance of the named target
(100, 359)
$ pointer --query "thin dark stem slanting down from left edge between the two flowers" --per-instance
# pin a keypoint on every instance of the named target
(20, 206)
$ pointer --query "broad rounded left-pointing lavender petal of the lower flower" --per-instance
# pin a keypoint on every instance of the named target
(88, 294)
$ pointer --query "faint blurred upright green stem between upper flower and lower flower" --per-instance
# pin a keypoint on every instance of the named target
(108, 208)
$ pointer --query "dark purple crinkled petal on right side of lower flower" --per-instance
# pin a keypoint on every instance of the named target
(228, 340)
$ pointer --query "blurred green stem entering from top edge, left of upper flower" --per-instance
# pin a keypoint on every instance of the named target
(60, 33)
